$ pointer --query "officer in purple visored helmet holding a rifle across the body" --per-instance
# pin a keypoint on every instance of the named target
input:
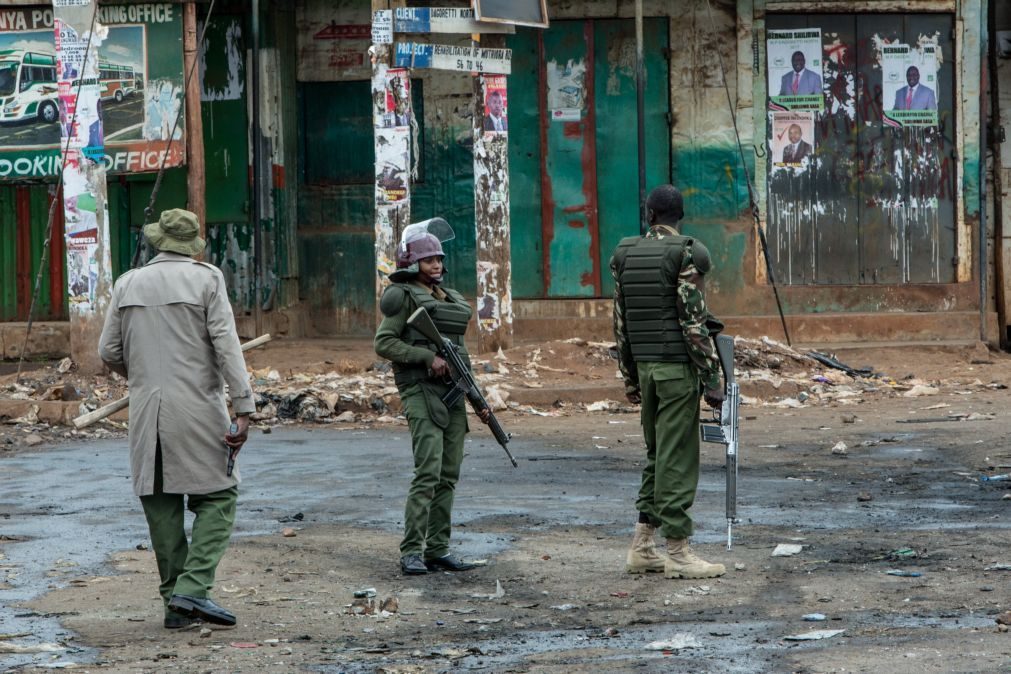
(437, 432)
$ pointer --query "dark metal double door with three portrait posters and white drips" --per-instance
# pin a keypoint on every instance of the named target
(861, 133)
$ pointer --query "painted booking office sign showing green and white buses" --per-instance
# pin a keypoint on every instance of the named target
(136, 89)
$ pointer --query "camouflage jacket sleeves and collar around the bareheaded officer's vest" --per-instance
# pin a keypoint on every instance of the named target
(692, 314)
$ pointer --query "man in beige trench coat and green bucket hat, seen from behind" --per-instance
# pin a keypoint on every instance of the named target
(171, 333)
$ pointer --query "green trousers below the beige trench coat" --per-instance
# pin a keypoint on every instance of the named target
(189, 568)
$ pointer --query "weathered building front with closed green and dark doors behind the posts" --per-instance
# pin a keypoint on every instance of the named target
(880, 217)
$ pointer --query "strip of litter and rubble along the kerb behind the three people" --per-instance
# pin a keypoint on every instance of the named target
(577, 376)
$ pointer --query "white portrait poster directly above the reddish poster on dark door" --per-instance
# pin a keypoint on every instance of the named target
(795, 70)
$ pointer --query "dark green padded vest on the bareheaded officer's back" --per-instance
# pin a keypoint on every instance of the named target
(652, 308)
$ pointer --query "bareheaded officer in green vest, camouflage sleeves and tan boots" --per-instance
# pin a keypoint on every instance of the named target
(667, 357)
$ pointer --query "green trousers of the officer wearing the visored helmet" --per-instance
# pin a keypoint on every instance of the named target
(438, 454)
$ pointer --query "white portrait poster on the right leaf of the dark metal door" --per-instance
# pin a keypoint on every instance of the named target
(909, 85)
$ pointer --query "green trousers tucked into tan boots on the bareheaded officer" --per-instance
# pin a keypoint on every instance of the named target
(671, 428)
